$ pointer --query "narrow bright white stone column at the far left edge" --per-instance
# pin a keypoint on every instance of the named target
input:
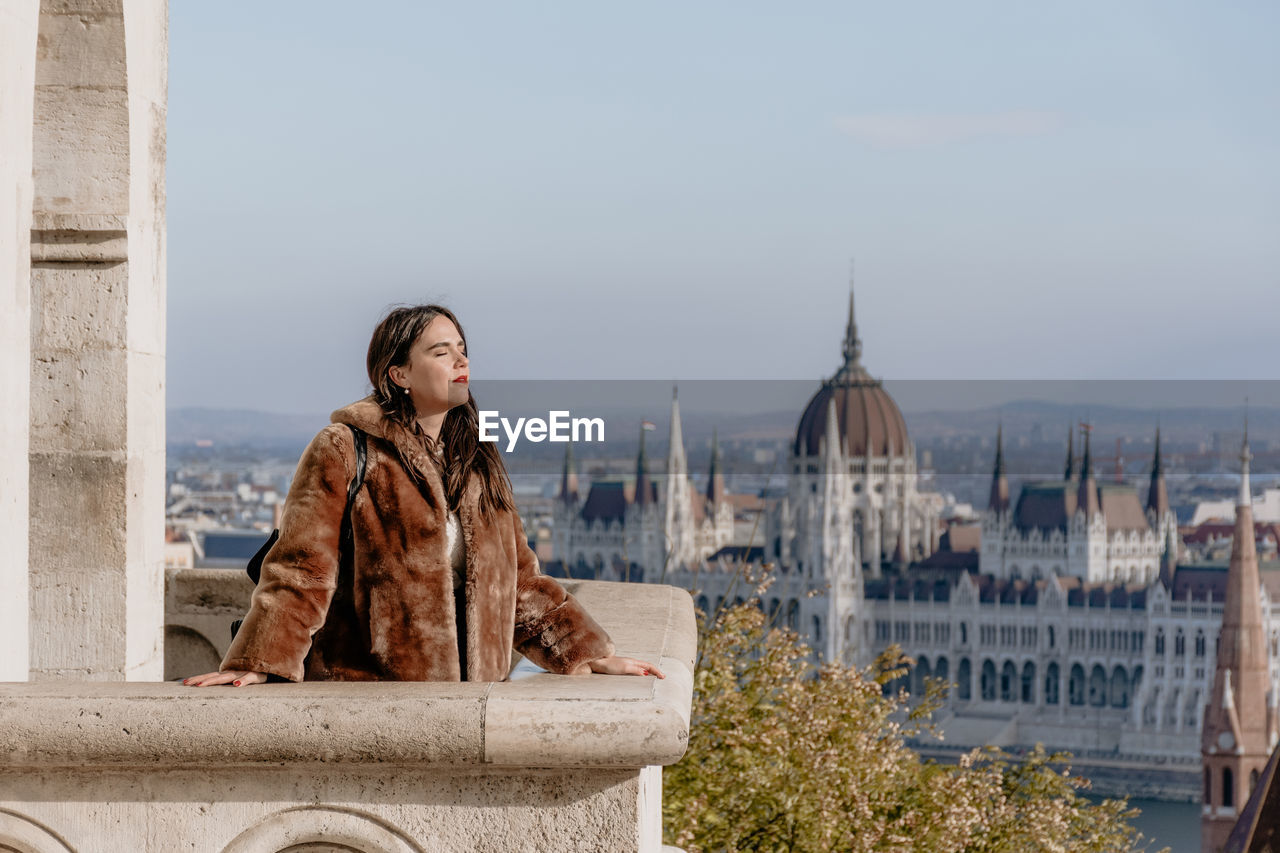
(19, 26)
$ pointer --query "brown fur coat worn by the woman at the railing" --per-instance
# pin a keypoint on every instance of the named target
(391, 617)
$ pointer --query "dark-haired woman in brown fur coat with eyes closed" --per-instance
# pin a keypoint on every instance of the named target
(442, 583)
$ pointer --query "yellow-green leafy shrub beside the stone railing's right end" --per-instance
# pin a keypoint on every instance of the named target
(789, 756)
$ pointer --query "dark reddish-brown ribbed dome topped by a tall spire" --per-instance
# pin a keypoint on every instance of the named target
(868, 418)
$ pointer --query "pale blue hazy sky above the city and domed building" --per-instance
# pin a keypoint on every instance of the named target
(655, 191)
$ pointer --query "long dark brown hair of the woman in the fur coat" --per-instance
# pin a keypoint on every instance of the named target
(390, 346)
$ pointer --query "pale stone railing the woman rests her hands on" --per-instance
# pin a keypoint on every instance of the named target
(541, 763)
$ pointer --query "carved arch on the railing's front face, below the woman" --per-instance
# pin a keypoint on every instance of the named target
(322, 828)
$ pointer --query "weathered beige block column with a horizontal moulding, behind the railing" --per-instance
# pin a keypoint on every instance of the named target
(98, 282)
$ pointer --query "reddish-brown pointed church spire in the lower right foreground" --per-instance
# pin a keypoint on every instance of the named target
(1238, 733)
